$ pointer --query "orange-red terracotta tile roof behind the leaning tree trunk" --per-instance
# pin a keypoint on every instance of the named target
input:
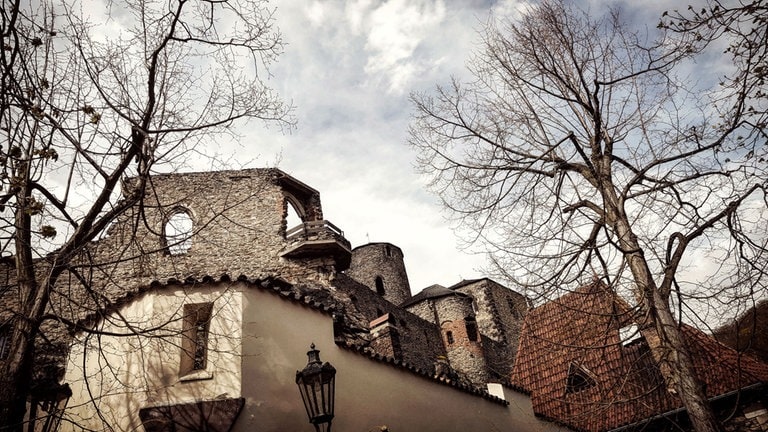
(611, 384)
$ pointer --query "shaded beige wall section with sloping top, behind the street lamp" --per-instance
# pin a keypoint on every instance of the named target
(368, 393)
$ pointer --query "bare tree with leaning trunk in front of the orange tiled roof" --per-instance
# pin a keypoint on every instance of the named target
(578, 151)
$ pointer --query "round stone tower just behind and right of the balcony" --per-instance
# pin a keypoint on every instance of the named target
(380, 267)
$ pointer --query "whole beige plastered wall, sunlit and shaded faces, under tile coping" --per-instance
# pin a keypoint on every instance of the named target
(126, 374)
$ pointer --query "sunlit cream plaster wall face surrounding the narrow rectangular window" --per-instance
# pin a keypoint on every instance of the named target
(133, 362)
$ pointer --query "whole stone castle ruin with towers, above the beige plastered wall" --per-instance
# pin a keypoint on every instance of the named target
(232, 225)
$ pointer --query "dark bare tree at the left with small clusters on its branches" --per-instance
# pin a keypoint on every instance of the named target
(93, 93)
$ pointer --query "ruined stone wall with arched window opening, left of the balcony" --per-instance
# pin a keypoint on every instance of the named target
(237, 229)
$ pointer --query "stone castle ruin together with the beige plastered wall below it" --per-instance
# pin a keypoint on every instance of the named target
(197, 305)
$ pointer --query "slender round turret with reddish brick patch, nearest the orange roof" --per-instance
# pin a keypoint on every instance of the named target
(461, 336)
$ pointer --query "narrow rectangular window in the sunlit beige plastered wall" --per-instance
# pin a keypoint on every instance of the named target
(194, 343)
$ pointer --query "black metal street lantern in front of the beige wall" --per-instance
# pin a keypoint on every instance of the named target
(317, 383)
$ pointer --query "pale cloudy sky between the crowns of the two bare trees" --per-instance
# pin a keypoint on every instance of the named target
(349, 67)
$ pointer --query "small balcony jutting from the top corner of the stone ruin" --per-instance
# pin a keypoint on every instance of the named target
(318, 239)
